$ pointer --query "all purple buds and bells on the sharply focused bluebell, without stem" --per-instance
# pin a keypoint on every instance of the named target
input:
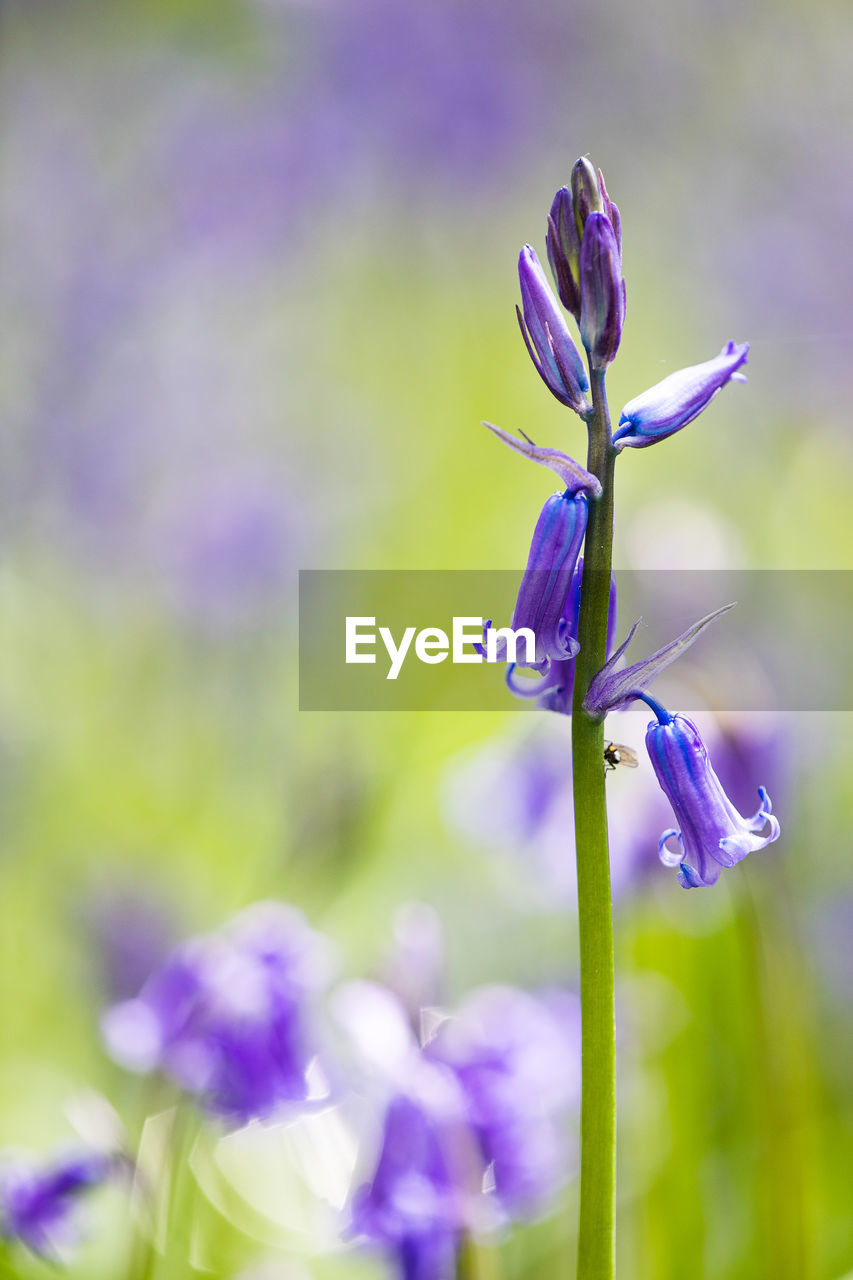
(585, 245)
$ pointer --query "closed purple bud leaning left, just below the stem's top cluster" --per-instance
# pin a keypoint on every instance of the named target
(548, 337)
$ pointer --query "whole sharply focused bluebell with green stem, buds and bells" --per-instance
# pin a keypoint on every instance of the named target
(585, 246)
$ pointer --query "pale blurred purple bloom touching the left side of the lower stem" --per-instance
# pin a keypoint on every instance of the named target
(518, 1064)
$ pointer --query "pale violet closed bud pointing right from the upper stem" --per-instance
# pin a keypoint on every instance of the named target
(676, 401)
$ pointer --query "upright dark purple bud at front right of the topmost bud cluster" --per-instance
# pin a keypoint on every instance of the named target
(603, 294)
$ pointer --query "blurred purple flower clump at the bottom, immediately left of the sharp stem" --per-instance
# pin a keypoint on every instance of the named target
(475, 1131)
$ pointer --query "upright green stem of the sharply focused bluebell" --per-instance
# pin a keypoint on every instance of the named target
(596, 1250)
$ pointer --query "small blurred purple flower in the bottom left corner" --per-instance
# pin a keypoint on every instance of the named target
(37, 1206)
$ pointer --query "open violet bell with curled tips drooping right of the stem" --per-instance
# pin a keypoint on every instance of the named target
(713, 834)
